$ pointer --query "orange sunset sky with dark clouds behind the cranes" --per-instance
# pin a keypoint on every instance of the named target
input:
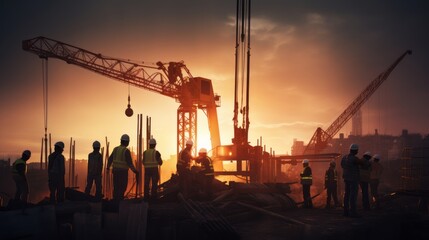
(309, 60)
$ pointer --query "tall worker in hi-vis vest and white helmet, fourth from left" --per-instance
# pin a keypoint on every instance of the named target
(121, 161)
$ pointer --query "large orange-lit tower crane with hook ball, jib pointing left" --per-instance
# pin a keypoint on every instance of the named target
(172, 79)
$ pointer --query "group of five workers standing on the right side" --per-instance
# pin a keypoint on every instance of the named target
(358, 172)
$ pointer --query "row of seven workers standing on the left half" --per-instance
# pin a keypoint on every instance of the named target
(120, 161)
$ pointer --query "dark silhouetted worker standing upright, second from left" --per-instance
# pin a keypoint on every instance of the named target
(56, 173)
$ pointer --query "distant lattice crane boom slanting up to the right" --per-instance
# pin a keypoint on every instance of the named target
(320, 138)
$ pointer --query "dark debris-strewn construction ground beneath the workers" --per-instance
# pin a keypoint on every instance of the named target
(244, 212)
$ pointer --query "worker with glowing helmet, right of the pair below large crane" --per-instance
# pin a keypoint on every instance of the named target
(207, 171)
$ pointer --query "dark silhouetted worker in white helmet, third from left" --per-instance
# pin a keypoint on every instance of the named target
(95, 168)
